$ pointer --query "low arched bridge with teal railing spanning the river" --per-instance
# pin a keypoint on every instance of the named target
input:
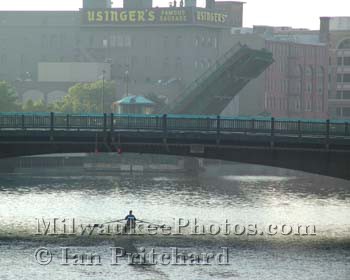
(315, 146)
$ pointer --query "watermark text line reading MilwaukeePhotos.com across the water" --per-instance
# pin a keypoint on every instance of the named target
(179, 226)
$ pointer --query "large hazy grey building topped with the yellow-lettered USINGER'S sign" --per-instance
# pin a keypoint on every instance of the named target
(154, 45)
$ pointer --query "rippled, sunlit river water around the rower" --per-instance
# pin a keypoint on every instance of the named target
(243, 199)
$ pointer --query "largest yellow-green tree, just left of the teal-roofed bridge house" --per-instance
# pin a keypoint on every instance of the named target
(87, 98)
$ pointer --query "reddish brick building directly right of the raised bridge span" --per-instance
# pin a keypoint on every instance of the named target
(295, 85)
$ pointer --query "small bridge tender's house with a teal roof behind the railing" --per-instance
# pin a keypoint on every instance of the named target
(134, 105)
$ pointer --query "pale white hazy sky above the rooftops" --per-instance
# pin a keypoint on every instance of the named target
(295, 13)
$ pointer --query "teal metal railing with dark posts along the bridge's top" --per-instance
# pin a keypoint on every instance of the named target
(61, 121)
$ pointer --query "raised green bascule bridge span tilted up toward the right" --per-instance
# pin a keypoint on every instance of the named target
(211, 92)
